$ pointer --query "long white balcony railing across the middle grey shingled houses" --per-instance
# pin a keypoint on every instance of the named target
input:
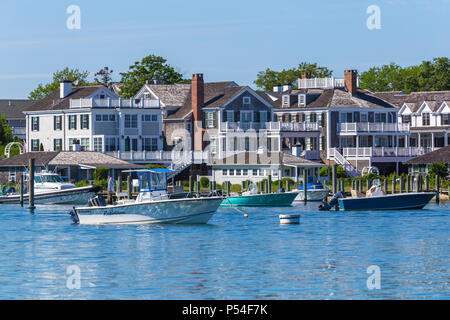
(270, 126)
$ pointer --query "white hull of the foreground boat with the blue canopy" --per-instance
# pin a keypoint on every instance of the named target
(189, 211)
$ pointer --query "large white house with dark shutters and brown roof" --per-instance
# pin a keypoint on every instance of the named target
(93, 118)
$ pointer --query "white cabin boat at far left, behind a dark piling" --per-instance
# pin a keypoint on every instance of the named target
(50, 188)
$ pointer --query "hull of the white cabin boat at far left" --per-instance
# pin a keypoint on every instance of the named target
(79, 195)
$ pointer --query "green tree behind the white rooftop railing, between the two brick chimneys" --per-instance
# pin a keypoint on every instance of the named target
(267, 79)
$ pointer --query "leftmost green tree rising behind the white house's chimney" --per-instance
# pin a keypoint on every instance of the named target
(78, 78)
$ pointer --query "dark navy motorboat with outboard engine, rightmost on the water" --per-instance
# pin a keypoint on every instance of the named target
(375, 199)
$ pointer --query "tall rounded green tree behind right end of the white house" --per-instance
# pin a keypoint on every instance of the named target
(149, 68)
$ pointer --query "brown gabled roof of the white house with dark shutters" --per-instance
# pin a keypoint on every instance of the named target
(53, 102)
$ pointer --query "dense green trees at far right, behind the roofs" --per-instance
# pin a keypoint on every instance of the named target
(428, 76)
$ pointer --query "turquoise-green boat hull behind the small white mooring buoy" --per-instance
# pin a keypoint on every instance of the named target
(283, 199)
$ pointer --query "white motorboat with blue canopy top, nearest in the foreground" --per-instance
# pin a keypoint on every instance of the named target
(152, 205)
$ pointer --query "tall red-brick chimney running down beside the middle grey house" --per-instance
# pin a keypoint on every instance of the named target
(197, 99)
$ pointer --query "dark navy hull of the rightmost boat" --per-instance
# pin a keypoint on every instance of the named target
(403, 201)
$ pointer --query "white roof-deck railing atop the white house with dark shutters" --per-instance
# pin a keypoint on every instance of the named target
(114, 103)
